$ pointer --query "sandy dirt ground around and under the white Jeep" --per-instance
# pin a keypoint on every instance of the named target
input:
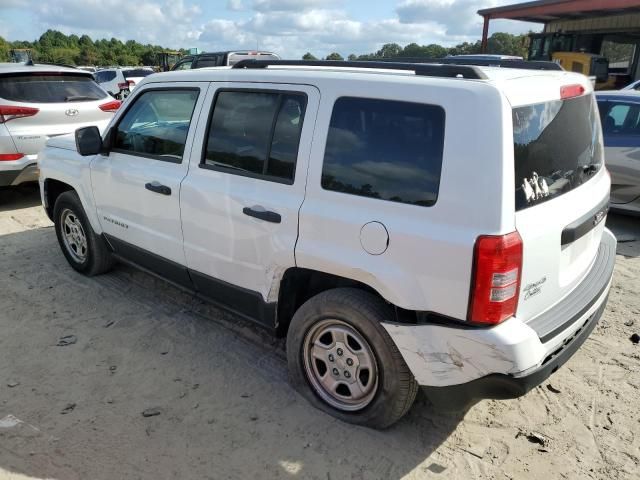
(225, 409)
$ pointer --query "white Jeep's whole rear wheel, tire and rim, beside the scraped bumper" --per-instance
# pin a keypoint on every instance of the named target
(345, 363)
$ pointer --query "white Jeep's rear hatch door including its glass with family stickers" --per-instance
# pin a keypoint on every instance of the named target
(561, 196)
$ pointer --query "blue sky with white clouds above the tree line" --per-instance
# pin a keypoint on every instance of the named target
(288, 27)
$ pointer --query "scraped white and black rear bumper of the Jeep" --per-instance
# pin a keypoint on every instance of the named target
(461, 364)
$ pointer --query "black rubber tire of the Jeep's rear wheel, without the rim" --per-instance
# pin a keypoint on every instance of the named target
(364, 312)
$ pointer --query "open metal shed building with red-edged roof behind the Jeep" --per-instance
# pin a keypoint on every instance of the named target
(610, 28)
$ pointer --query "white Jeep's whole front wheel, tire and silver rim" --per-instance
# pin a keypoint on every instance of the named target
(85, 251)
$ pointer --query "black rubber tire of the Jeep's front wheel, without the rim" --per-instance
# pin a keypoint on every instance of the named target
(98, 258)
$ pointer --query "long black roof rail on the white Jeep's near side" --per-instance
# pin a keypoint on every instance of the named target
(428, 70)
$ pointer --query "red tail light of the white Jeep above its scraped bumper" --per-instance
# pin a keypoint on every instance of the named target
(497, 266)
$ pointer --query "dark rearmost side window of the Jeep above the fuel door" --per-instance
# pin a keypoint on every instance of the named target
(385, 149)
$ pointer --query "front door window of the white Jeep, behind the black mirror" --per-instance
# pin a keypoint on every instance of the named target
(157, 124)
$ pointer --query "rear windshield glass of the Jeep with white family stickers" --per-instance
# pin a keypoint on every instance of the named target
(557, 147)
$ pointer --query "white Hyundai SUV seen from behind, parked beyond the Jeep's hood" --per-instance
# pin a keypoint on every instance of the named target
(38, 102)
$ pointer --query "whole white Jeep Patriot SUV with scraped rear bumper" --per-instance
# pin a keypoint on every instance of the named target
(402, 225)
